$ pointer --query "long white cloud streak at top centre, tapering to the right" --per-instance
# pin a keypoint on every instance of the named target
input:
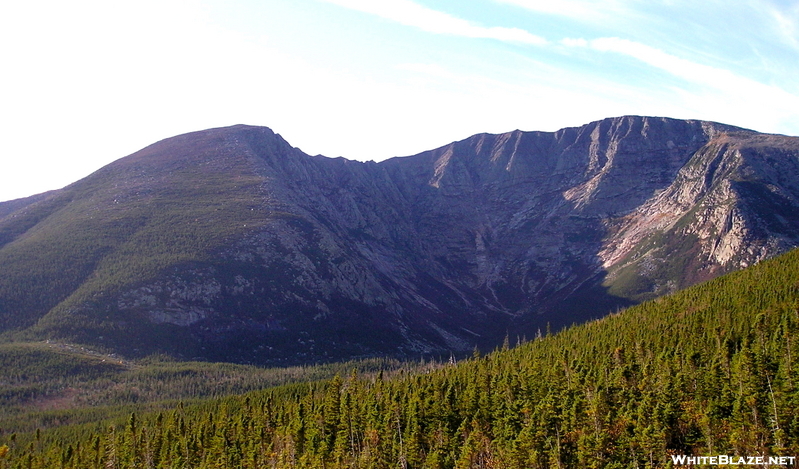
(412, 14)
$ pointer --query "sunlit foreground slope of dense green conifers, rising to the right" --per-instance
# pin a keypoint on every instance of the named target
(710, 370)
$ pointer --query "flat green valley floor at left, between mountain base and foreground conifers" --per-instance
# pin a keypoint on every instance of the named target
(47, 384)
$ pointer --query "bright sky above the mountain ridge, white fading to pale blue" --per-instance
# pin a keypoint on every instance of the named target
(85, 82)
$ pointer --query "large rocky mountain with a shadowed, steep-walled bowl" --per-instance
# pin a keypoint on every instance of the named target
(229, 244)
